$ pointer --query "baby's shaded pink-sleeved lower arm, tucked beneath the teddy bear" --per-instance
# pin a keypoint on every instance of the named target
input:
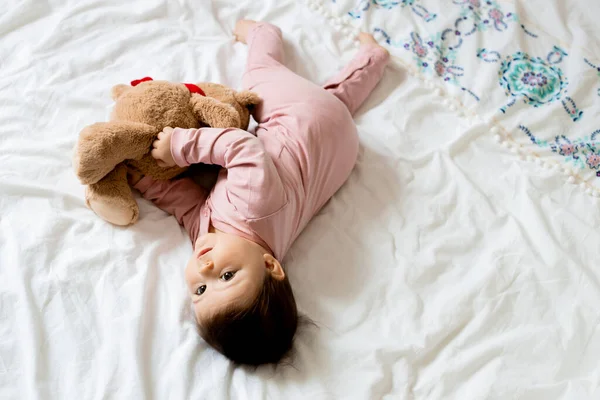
(182, 198)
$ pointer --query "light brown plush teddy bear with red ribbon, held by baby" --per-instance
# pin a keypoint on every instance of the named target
(105, 150)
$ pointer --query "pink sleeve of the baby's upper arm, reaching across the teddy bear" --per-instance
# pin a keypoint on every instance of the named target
(254, 186)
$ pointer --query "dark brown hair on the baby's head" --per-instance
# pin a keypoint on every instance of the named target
(262, 333)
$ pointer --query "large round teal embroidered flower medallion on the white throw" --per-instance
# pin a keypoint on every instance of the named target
(531, 78)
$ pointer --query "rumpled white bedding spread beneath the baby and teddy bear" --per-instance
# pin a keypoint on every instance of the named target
(447, 266)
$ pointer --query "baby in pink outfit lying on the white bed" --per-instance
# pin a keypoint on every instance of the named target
(270, 186)
